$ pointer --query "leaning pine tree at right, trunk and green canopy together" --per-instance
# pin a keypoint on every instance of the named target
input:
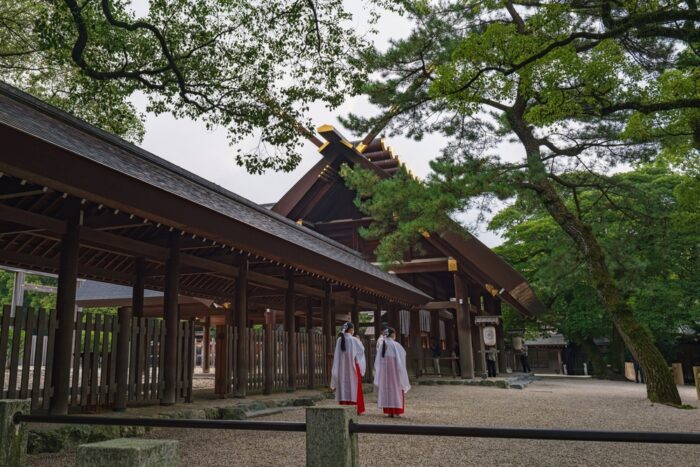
(579, 86)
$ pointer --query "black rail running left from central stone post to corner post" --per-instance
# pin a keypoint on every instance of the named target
(162, 422)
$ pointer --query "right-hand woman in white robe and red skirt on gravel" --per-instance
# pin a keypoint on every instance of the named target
(390, 375)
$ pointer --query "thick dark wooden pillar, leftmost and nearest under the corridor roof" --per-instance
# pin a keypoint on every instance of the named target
(65, 310)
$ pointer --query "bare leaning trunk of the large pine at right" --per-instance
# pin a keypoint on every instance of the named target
(660, 385)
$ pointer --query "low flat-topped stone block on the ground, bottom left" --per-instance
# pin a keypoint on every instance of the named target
(129, 452)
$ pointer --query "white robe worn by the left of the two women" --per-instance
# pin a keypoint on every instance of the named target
(344, 375)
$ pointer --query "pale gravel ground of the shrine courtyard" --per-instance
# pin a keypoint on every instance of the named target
(586, 404)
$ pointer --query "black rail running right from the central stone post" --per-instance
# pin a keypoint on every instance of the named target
(528, 433)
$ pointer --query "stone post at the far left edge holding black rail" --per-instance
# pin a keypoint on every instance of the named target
(13, 436)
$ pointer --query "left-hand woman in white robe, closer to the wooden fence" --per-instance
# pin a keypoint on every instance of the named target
(348, 368)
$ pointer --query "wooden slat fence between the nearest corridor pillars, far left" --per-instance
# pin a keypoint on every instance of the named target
(26, 358)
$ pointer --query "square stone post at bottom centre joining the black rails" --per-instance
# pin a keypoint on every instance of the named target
(329, 442)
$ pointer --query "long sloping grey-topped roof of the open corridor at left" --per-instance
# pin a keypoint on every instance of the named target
(258, 230)
